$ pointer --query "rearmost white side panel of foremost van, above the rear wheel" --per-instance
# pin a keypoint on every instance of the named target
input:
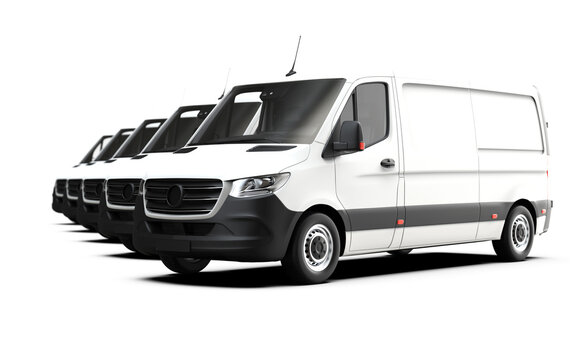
(513, 159)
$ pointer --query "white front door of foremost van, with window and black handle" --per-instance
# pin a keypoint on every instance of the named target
(367, 181)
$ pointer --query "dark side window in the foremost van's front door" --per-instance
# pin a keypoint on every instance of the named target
(369, 105)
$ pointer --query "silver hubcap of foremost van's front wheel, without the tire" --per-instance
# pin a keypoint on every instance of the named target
(318, 247)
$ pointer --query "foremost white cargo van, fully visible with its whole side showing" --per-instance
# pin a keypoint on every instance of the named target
(308, 171)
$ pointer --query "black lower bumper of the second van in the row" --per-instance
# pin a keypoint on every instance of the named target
(114, 223)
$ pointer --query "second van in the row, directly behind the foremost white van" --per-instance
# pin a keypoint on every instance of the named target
(115, 213)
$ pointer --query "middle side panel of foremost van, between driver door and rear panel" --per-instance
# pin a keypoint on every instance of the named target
(441, 164)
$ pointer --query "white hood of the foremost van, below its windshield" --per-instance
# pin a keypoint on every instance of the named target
(226, 161)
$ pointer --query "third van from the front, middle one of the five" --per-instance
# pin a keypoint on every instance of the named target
(91, 187)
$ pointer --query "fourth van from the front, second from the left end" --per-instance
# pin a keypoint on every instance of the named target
(74, 177)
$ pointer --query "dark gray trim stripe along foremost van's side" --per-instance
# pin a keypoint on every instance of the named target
(424, 215)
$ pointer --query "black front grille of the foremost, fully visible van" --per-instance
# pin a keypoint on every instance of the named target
(182, 196)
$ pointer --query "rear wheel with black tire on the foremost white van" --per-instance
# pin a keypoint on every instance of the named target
(517, 237)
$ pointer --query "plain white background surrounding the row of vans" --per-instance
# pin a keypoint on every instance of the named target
(71, 71)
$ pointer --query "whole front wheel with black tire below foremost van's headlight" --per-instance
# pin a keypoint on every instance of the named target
(314, 250)
